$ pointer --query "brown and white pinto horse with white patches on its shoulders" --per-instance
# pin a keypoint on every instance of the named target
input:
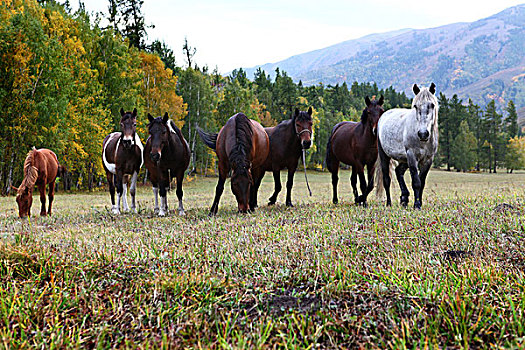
(122, 156)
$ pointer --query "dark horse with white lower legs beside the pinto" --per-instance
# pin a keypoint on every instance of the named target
(169, 155)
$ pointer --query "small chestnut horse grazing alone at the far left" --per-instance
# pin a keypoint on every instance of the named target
(40, 169)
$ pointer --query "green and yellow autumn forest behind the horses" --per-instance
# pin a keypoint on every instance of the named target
(64, 77)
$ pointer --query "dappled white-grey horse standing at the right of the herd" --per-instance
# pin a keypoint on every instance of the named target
(409, 136)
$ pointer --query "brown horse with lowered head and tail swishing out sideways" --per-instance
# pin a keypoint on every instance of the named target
(242, 146)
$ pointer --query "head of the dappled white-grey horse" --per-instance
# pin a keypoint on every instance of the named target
(426, 106)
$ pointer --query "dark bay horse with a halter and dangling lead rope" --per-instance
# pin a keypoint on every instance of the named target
(287, 141)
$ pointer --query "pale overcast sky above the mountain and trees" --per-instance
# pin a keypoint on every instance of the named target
(229, 34)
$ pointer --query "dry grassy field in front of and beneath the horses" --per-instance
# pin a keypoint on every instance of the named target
(313, 276)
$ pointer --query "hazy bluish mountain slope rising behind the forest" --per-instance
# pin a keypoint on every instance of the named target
(482, 60)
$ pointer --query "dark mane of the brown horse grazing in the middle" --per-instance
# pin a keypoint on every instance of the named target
(243, 144)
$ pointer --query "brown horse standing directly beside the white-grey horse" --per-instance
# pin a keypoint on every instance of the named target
(355, 144)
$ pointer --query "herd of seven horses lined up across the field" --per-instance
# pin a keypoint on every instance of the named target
(246, 151)
